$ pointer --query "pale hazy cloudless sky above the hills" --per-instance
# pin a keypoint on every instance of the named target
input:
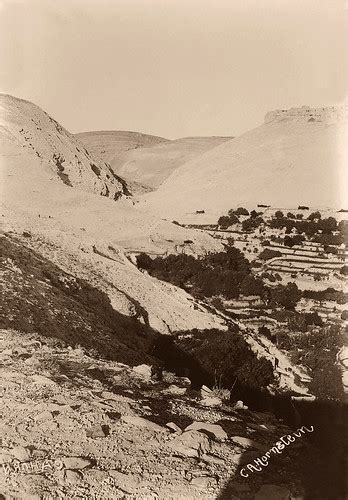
(173, 67)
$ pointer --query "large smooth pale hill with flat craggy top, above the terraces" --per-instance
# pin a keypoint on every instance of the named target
(296, 157)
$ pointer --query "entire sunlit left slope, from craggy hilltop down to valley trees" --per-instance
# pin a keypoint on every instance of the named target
(89, 235)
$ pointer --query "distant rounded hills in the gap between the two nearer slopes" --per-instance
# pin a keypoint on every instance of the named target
(146, 159)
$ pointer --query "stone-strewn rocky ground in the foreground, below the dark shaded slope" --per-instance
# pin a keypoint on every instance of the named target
(74, 426)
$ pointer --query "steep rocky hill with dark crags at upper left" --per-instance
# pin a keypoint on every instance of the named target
(28, 131)
